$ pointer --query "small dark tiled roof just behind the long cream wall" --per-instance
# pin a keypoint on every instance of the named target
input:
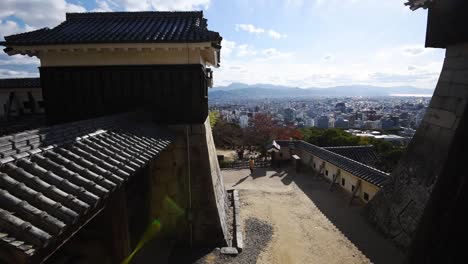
(362, 154)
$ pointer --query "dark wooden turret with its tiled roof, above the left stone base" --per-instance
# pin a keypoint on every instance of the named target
(96, 64)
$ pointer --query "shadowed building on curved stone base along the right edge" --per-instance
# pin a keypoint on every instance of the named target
(422, 207)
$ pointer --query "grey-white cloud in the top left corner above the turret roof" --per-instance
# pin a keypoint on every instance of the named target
(37, 14)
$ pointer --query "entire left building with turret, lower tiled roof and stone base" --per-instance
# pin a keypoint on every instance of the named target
(85, 189)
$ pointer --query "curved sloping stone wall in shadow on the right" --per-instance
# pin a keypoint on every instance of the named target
(398, 207)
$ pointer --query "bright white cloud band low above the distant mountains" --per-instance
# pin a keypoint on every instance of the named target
(319, 74)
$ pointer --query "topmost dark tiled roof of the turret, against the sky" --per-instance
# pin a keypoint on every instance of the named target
(122, 27)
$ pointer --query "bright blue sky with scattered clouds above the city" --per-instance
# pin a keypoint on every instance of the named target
(303, 43)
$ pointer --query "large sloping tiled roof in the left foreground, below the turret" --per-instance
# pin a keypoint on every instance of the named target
(54, 180)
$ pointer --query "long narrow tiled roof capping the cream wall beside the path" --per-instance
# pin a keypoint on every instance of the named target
(358, 169)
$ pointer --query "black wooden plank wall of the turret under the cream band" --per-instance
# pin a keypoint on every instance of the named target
(175, 94)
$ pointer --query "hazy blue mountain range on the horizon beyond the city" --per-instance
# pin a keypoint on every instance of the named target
(258, 91)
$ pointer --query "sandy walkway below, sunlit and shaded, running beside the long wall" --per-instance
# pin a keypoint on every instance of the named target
(310, 223)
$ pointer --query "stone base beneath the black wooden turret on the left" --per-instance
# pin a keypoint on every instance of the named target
(171, 193)
